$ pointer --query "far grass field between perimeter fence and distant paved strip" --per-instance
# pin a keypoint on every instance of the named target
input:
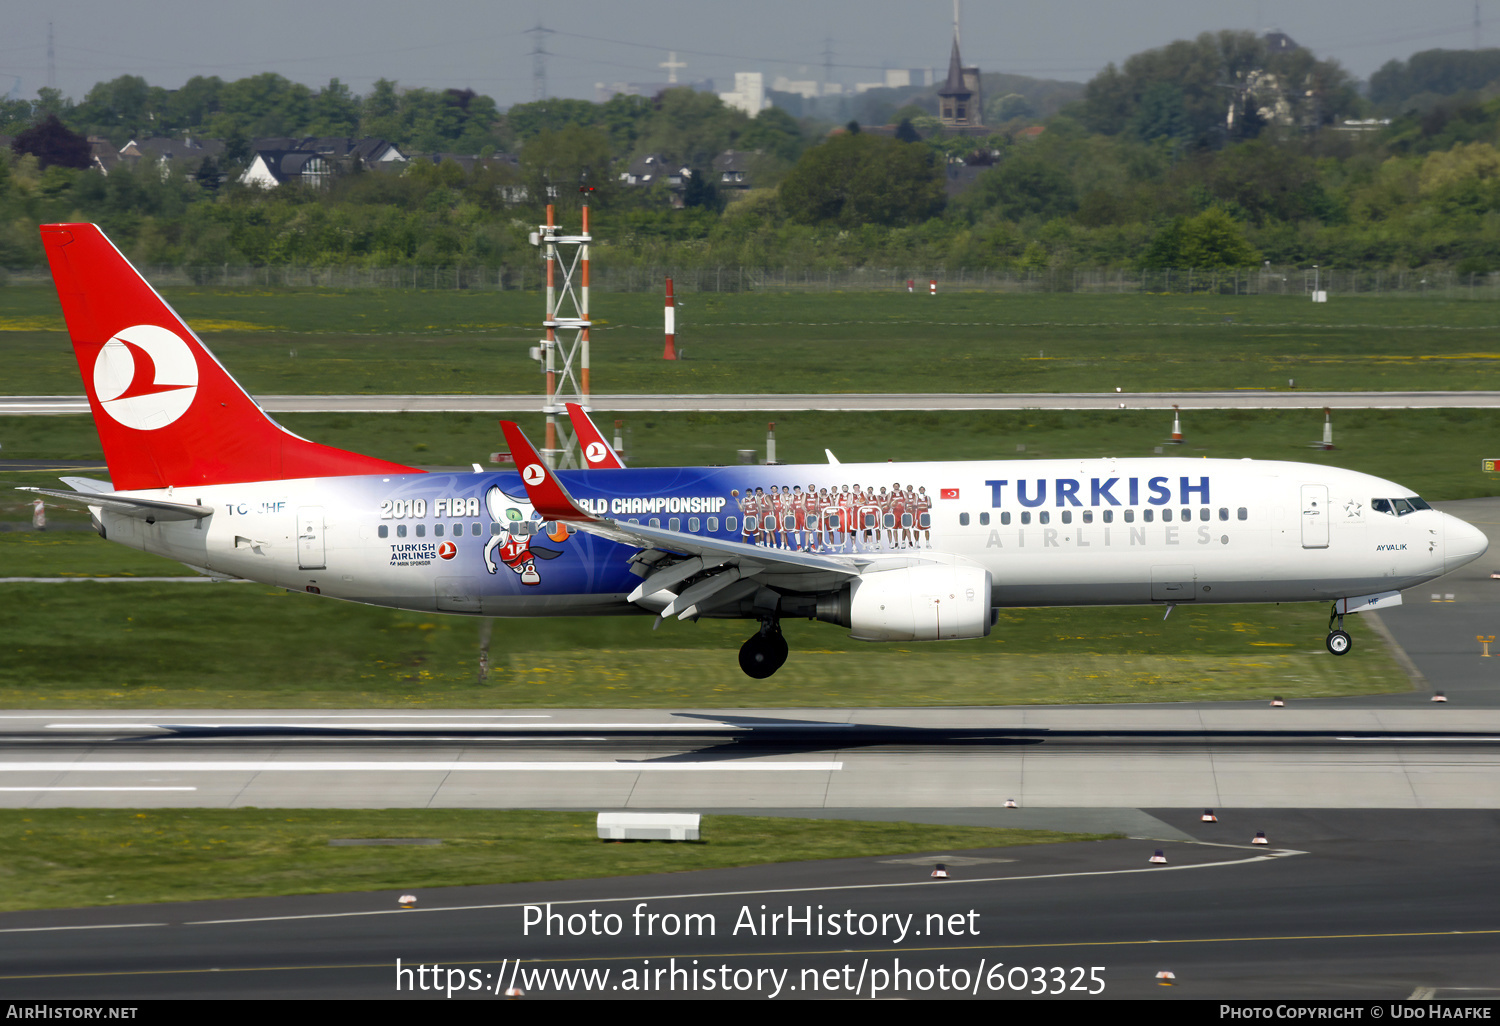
(326, 341)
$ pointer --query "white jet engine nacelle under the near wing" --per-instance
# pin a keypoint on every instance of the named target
(914, 604)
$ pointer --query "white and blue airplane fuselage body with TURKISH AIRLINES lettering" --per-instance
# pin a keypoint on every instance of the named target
(1052, 533)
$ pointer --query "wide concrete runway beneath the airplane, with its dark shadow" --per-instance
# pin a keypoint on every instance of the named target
(805, 760)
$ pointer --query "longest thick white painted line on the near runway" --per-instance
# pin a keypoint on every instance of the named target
(265, 766)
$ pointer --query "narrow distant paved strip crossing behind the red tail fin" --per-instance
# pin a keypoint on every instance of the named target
(1246, 400)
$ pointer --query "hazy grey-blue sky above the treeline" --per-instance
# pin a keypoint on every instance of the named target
(482, 44)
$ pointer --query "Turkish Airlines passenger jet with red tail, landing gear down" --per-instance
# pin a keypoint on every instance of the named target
(892, 553)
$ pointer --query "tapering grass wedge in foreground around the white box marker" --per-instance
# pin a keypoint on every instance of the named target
(91, 857)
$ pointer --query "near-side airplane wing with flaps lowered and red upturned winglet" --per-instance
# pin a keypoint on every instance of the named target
(697, 574)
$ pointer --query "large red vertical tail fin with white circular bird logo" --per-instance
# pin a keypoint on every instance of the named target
(167, 410)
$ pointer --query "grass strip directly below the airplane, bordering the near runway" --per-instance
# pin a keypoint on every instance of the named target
(211, 646)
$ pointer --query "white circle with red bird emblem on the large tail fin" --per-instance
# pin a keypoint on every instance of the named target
(146, 377)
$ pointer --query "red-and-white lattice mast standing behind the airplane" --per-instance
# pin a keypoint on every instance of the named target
(565, 350)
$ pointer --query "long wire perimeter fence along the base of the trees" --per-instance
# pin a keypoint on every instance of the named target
(1267, 281)
